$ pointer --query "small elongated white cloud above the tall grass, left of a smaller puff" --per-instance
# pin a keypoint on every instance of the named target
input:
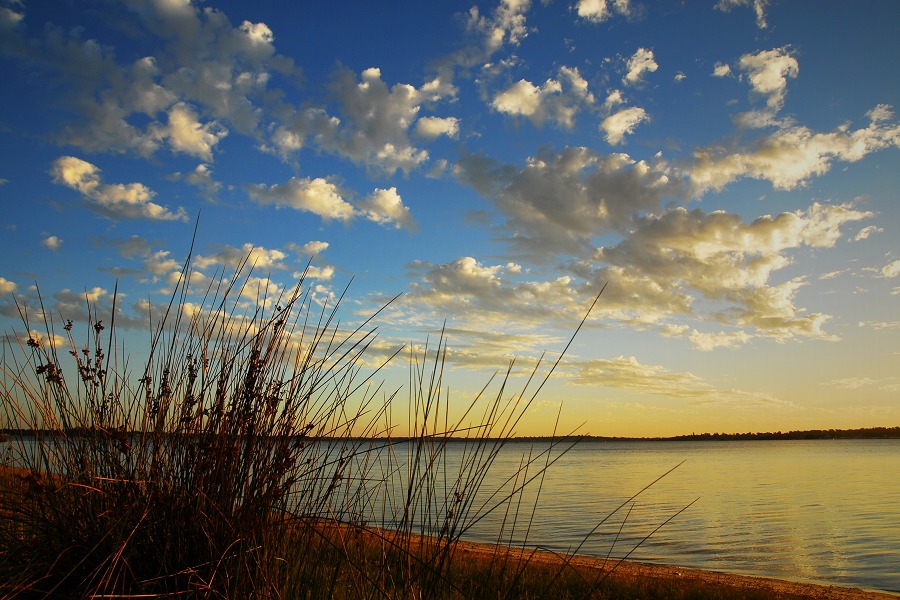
(318, 196)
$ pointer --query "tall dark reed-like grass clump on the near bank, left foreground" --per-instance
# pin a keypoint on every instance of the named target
(252, 455)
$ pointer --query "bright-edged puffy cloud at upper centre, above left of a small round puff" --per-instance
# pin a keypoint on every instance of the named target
(556, 100)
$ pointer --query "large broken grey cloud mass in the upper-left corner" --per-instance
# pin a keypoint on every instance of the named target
(208, 75)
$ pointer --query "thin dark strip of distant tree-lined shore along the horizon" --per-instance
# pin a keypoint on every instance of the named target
(871, 433)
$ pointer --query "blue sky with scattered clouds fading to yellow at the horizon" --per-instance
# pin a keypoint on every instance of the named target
(728, 169)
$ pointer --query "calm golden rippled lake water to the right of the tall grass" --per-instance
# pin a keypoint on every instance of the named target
(823, 511)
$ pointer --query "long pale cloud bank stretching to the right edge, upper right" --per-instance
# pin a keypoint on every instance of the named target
(790, 156)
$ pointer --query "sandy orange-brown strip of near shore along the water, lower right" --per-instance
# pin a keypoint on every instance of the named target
(633, 570)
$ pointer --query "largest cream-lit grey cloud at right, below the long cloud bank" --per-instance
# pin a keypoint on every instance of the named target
(722, 259)
